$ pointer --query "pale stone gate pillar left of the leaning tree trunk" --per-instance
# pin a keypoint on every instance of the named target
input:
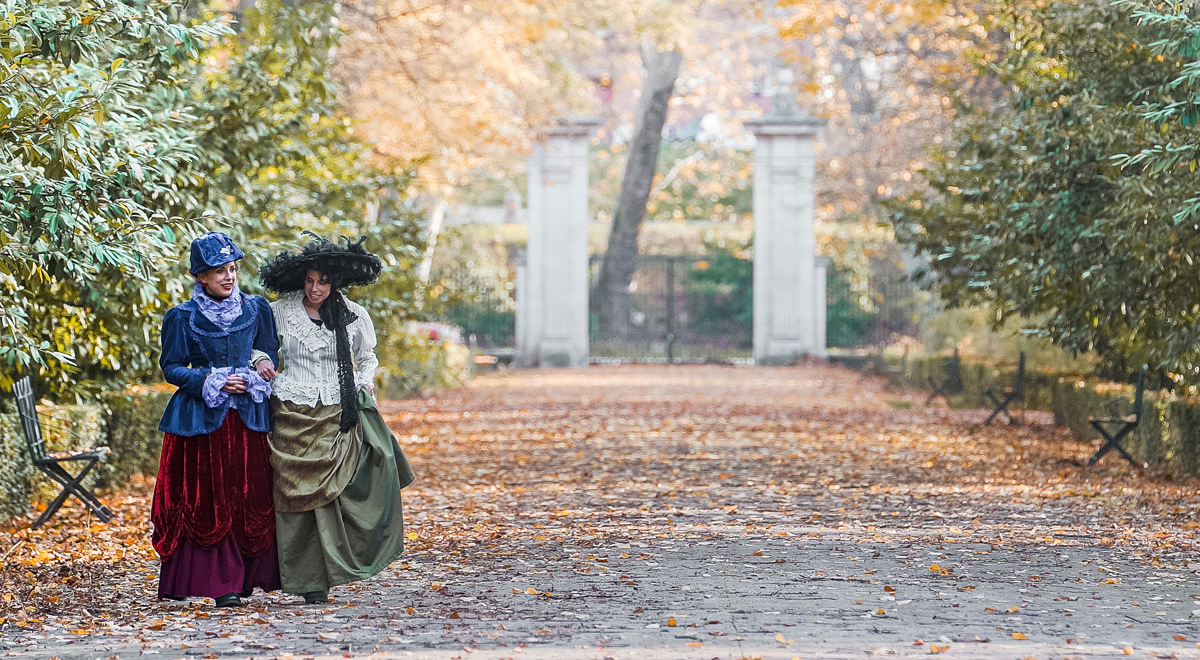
(553, 289)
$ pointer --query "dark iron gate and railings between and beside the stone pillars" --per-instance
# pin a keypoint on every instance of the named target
(698, 309)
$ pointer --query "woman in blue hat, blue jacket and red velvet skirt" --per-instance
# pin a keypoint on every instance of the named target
(213, 514)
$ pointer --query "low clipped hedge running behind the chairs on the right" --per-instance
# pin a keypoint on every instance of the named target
(1168, 436)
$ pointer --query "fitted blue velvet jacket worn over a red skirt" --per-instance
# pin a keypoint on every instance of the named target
(193, 346)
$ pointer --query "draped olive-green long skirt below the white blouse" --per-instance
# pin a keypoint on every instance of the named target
(338, 512)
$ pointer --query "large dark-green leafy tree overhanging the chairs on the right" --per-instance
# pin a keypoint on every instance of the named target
(1067, 203)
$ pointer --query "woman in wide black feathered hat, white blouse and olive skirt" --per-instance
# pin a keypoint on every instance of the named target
(338, 469)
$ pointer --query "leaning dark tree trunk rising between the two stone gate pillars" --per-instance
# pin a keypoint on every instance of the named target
(611, 291)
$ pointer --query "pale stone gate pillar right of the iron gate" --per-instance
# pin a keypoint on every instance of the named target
(789, 284)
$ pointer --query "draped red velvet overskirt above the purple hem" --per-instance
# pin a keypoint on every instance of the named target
(212, 488)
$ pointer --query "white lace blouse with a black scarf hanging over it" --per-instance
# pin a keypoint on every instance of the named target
(309, 356)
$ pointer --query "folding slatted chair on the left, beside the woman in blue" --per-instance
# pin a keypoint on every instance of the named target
(52, 464)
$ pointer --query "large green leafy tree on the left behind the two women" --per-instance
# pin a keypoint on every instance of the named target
(131, 128)
